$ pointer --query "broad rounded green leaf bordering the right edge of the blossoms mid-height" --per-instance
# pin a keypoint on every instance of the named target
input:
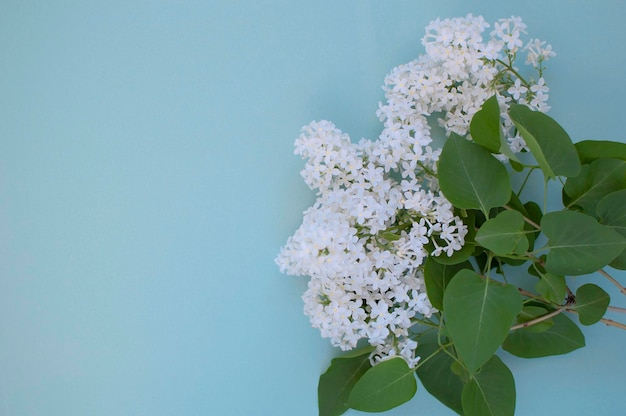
(470, 177)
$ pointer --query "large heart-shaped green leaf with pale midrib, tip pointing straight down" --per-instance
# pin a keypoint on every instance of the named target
(479, 314)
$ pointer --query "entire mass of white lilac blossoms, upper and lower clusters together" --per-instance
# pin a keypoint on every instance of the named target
(379, 212)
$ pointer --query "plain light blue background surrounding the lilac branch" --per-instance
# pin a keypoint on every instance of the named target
(147, 181)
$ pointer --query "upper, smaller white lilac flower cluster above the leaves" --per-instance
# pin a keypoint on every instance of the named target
(459, 71)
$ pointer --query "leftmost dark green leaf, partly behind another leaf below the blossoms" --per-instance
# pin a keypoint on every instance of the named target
(337, 382)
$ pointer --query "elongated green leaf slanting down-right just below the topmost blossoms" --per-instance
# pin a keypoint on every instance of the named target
(548, 142)
